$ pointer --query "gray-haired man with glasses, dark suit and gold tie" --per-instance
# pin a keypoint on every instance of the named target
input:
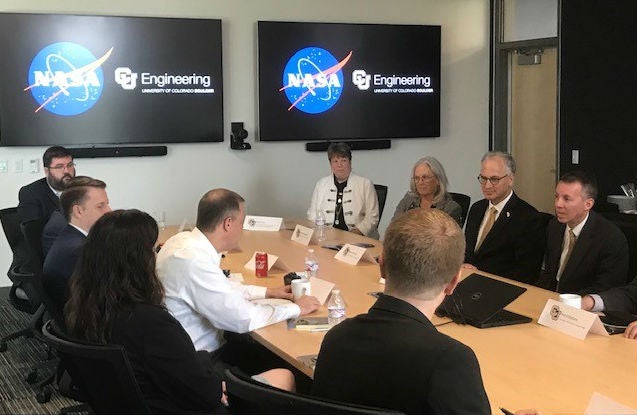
(504, 234)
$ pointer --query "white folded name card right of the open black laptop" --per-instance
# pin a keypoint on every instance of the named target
(570, 320)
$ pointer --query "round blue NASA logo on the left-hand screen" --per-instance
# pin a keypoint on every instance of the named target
(66, 79)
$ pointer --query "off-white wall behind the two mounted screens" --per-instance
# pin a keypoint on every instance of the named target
(278, 178)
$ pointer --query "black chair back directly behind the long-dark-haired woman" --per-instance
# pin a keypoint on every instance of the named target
(101, 371)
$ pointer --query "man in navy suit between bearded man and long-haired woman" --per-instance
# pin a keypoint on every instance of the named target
(84, 201)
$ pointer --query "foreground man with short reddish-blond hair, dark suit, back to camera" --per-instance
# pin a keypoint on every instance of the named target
(423, 370)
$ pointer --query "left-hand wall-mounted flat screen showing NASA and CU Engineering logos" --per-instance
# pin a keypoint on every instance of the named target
(78, 80)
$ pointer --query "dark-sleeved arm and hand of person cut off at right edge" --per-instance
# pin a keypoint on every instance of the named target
(618, 299)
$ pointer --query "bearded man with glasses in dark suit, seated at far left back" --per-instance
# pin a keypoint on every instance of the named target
(42, 197)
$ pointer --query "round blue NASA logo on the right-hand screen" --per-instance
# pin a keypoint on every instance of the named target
(313, 80)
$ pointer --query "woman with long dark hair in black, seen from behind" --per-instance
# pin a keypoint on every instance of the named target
(116, 298)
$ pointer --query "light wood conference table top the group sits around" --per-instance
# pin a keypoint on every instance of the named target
(523, 366)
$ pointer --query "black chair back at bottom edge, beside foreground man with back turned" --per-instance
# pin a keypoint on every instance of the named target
(247, 396)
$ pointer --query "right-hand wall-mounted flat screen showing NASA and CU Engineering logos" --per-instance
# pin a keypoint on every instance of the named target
(322, 81)
